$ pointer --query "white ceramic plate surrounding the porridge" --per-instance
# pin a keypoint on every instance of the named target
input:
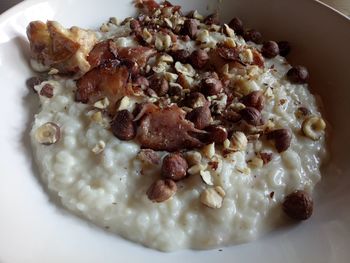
(35, 229)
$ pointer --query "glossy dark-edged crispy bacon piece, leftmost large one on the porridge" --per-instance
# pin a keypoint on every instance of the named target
(108, 80)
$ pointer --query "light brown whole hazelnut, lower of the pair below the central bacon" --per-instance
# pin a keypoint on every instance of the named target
(161, 190)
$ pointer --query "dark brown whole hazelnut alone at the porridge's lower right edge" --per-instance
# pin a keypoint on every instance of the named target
(298, 205)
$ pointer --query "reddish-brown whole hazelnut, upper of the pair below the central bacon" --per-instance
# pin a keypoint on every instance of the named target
(174, 167)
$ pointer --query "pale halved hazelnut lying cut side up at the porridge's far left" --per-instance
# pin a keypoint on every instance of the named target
(48, 133)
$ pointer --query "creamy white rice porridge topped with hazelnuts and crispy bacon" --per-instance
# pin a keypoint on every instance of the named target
(175, 132)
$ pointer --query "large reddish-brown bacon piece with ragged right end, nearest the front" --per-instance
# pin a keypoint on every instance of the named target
(167, 130)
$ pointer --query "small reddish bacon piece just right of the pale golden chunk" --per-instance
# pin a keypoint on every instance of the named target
(100, 54)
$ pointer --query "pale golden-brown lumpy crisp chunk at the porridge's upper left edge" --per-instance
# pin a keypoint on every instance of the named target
(61, 48)
